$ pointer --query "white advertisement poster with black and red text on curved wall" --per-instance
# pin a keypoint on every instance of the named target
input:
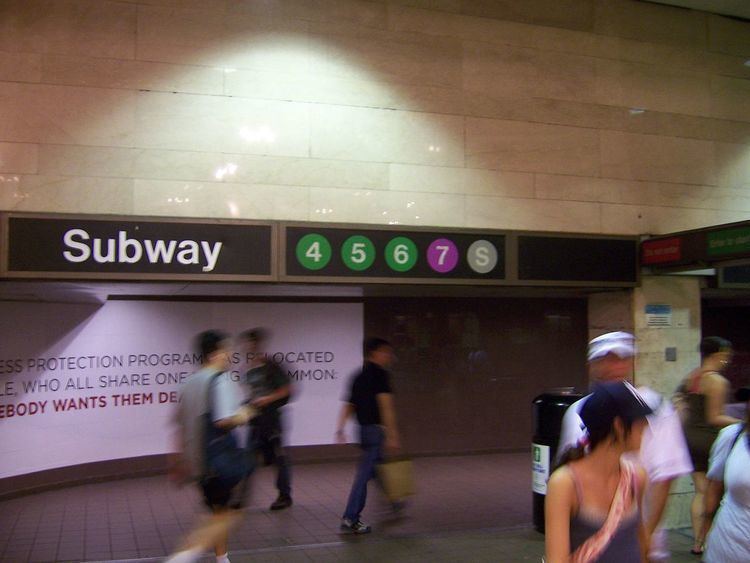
(82, 383)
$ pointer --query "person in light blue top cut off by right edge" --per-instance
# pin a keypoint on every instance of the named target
(729, 485)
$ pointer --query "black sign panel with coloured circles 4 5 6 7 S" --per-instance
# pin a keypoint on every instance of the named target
(394, 254)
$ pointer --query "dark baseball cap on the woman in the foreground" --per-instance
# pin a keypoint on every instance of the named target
(610, 400)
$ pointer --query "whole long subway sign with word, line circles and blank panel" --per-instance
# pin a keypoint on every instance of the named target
(107, 247)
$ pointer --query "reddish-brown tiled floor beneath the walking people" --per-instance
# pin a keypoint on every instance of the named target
(470, 508)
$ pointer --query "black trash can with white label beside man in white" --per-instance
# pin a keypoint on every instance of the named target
(548, 410)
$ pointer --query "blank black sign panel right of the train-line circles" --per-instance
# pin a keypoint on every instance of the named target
(577, 259)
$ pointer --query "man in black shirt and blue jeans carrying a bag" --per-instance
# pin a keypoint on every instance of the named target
(371, 400)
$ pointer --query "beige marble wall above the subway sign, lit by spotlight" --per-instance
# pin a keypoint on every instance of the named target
(601, 116)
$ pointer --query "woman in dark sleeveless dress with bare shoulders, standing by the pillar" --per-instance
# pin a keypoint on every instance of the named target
(704, 393)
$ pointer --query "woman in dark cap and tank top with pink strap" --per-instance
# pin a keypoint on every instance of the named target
(600, 521)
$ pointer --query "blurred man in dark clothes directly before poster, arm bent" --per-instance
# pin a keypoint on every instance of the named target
(269, 391)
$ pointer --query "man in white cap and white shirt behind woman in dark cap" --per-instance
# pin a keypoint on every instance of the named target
(663, 453)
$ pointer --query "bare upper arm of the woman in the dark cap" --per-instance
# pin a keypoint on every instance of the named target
(558, 507)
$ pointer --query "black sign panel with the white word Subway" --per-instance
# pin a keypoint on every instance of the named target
(134, 248)
